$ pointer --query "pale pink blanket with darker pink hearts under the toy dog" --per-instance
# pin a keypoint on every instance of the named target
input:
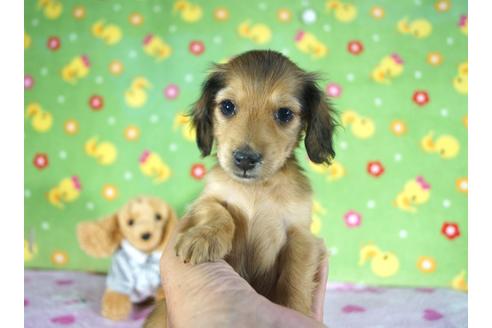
(62, 298)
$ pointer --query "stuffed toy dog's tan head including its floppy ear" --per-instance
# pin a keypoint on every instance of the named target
(145, 222)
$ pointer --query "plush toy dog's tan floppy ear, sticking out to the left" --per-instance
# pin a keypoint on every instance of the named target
(99, 238)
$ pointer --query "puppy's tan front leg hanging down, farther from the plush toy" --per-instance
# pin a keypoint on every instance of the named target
(299, 263)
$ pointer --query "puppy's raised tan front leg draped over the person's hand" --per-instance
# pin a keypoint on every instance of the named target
(207, 232)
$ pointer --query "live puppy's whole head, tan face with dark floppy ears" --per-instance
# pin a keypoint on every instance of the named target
(256, 108)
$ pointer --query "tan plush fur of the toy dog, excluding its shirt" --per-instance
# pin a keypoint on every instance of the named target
(102, 238)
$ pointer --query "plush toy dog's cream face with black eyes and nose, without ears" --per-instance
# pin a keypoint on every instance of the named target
(143, 222)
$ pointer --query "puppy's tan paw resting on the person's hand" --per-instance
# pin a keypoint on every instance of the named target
(203, 244)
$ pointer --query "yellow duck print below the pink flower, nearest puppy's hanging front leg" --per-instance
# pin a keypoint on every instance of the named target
(383, 264)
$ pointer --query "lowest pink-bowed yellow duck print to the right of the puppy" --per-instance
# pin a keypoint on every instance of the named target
(414, 193)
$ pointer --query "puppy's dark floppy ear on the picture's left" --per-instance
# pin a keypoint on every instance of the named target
(202, 111)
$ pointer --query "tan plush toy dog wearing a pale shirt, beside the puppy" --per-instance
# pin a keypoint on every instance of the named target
(135, 236)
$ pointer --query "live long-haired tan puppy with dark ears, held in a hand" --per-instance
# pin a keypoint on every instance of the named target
(255, 210)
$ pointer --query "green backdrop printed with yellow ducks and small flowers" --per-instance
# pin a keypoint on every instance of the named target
(107, 84)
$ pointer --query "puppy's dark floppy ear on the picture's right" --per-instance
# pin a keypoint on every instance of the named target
(320, 122)
